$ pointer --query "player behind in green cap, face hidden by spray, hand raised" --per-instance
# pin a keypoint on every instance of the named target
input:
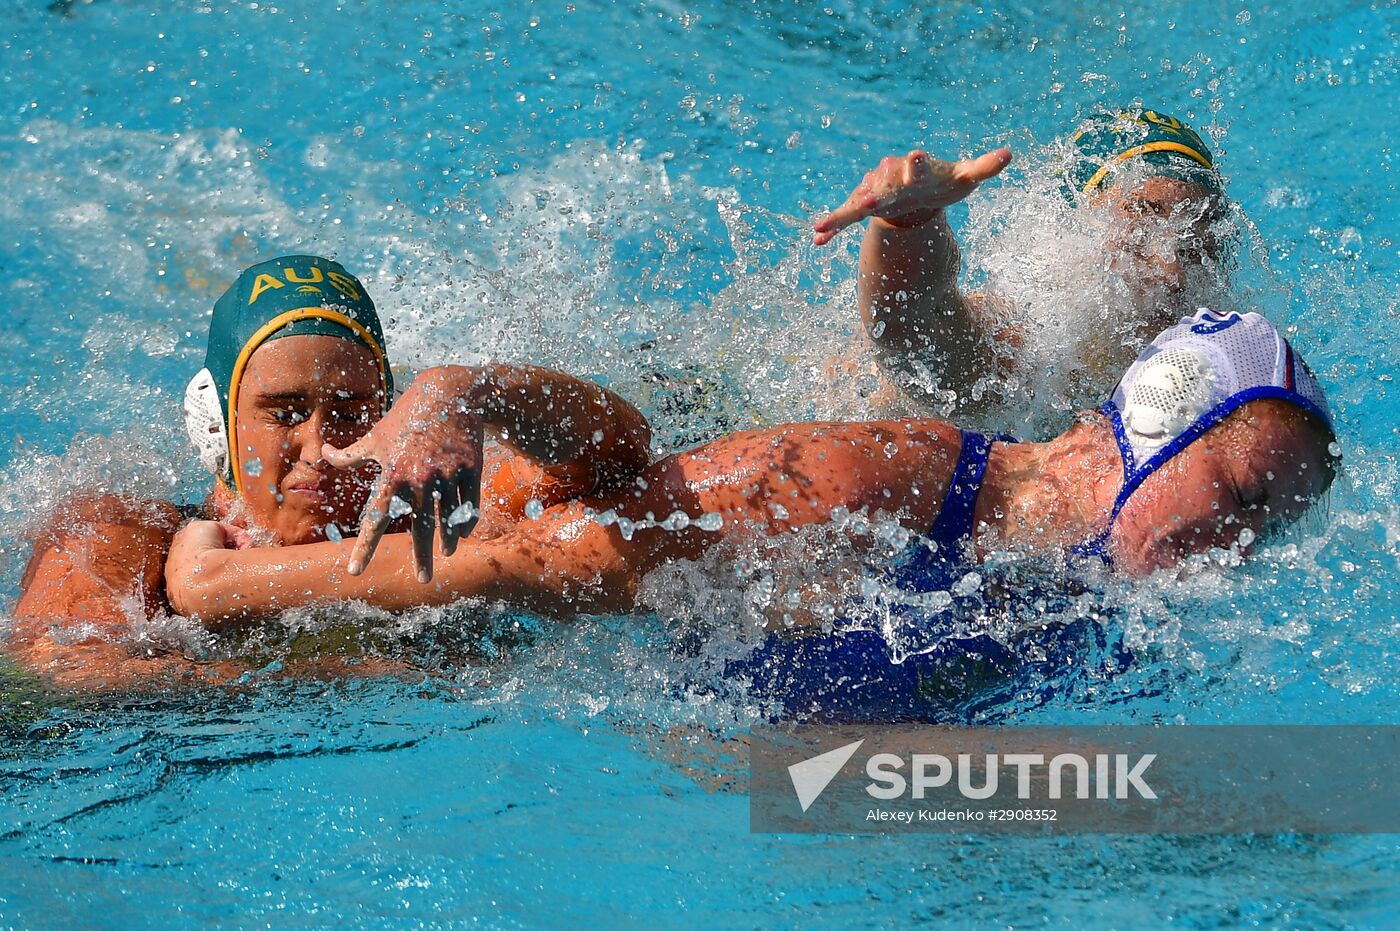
(1153, 171)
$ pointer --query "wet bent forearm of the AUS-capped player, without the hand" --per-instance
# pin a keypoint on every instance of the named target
(554, 418)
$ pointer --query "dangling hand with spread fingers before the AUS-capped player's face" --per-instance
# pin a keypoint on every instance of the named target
(429, 449)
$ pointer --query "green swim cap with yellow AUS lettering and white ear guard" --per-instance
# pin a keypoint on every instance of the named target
(290, 296)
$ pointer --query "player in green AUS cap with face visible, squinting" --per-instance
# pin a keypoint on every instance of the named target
(296, 370)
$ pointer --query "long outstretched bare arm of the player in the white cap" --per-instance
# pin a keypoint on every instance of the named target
(568, 562)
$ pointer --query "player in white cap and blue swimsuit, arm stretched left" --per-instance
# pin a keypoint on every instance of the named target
(1214, 435)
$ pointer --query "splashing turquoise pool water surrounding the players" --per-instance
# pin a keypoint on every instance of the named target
(624, 190)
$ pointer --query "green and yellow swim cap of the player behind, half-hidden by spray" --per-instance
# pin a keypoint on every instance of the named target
(1109, 139)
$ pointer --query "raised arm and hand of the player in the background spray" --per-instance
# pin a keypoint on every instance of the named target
(911, 264)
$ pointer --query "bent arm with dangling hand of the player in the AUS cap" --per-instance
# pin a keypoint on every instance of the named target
(430, 447)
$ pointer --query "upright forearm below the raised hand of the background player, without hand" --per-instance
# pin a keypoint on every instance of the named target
(911, 302)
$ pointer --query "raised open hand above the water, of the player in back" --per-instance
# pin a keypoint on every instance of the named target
(911, 191)
